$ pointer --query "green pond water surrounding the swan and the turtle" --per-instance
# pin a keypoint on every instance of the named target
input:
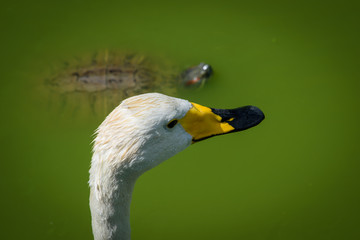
(295, 176)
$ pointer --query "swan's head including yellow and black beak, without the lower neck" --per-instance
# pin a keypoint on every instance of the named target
(147, 129)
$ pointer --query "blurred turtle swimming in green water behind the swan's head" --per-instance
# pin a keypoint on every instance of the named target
(99, 82)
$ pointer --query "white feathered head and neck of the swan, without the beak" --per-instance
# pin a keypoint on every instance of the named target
(132, 139)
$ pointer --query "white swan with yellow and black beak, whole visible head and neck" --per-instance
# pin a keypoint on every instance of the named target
(139, 134)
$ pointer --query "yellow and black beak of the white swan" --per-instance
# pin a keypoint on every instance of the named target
(203, 122)
